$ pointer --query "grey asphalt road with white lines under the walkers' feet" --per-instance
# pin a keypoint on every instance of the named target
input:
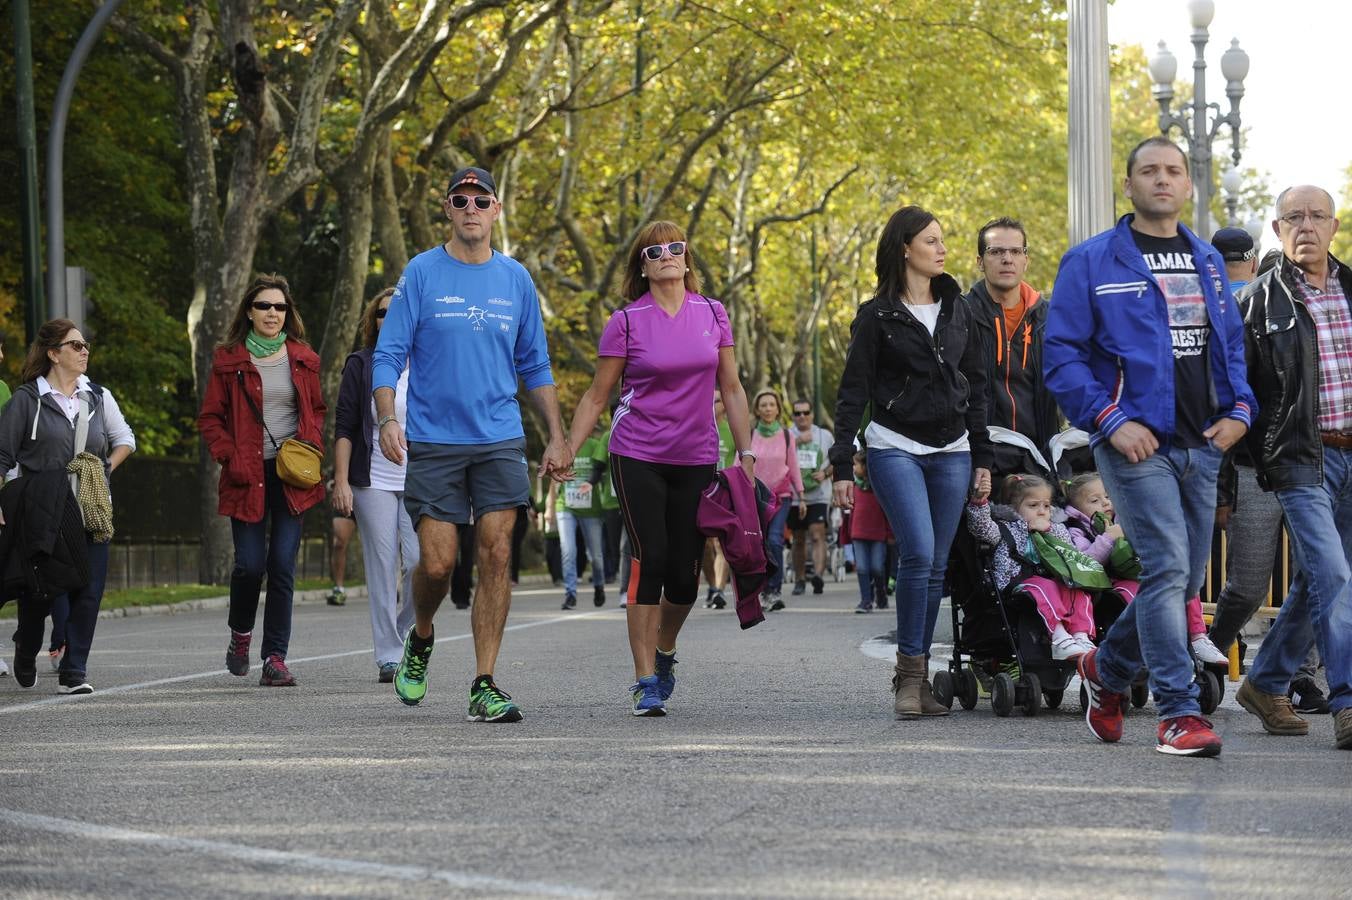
(779, 772)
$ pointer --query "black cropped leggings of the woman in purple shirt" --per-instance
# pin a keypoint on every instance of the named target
(659, 503)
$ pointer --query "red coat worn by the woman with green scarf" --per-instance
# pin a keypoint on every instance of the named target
(235, 436)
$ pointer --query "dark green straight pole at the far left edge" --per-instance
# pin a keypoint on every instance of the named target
(29, 210)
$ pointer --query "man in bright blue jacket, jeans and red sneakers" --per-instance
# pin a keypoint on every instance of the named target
(1144, 351)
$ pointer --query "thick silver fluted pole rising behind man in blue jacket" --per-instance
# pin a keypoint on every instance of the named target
(1090, 121)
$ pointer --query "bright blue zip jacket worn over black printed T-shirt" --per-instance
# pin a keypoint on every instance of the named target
(1108, 353)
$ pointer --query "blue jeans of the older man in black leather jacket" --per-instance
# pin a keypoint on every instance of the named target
(1319, 610)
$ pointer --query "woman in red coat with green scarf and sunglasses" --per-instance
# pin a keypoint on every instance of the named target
(264, 390)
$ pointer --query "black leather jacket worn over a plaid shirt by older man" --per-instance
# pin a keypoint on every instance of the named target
(1284, 359)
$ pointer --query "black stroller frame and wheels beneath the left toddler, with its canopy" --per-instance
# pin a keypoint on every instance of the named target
(998, 641)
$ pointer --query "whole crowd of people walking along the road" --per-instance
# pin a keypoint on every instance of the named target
(1211, 394)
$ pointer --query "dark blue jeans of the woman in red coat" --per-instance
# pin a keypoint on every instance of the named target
(256, 556)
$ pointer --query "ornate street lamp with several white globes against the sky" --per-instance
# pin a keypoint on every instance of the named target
(1200, 134)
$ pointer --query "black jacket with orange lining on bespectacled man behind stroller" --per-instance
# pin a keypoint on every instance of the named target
(1017, 397)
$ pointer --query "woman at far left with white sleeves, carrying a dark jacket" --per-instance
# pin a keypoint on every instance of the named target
(40, 429)
